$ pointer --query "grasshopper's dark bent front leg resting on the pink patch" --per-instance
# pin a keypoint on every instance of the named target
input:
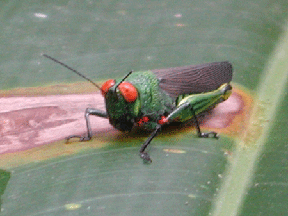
(89, 111)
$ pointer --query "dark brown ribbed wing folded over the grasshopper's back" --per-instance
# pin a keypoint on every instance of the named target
(194, 78)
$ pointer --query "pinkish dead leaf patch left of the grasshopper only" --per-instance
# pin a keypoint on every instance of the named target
(27, 122)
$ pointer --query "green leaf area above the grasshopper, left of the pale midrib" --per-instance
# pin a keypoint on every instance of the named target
(105, 39)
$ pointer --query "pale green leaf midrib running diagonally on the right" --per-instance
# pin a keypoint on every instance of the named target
(244, 164)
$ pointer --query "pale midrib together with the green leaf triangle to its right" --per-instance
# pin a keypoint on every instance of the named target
(255, 149)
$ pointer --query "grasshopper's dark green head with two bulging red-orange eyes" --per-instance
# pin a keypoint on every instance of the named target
(120, 101)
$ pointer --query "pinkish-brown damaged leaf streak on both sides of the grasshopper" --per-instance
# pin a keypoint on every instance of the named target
(28, 122)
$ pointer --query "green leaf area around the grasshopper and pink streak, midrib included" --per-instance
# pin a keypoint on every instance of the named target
(106, 39)
